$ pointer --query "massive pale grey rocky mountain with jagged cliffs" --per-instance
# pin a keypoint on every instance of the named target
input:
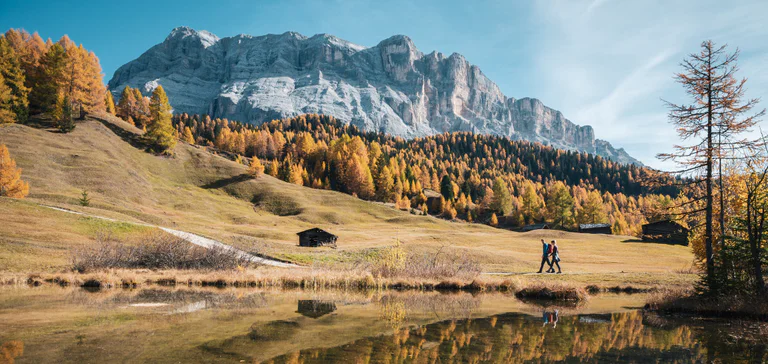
(391, 87)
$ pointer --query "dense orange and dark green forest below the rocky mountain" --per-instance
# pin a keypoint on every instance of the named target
(473, 177)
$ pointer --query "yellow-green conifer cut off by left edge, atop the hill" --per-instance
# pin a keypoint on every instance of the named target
(13, 78)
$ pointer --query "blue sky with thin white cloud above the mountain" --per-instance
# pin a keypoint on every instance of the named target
(605, 63)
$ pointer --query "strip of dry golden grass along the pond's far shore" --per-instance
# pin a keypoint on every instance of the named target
(532, 286)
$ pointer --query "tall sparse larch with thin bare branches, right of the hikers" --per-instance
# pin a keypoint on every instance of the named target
(711, 125)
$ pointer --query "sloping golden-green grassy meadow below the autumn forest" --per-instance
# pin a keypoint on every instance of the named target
(209, 195)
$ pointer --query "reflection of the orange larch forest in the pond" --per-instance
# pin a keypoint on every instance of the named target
(515, 337)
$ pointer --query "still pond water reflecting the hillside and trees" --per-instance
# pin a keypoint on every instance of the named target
(60, 325)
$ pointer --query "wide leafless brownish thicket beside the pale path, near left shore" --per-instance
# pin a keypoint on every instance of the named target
(155, 251)
